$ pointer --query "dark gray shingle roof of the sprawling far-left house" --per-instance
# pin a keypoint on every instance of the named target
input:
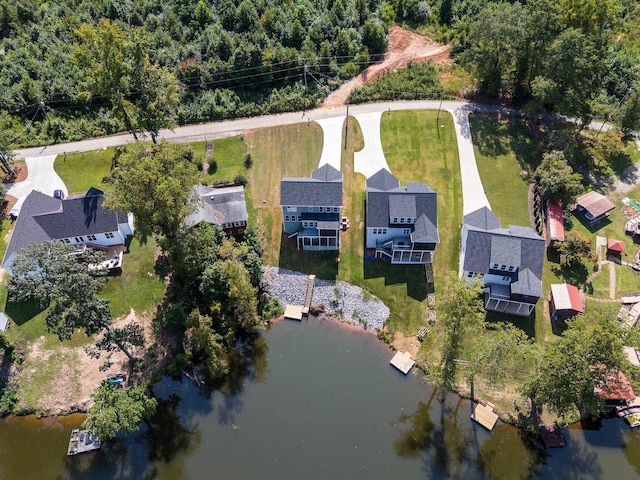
(44, 218)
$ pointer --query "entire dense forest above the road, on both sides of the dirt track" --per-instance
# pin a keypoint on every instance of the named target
(77, 68)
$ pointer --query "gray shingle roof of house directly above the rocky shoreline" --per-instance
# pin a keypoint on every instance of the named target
(326, 190)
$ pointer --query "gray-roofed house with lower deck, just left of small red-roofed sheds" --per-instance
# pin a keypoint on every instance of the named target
(508, 261)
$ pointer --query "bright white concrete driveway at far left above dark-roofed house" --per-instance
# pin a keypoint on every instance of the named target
(40, 176)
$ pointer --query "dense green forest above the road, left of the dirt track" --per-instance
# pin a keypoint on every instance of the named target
(79, 68)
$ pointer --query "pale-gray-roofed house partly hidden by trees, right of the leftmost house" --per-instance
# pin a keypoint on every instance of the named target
(224, 206)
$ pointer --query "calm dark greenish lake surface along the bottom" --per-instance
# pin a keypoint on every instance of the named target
(316, 401)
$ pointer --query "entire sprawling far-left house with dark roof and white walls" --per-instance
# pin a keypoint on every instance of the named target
(79, 220)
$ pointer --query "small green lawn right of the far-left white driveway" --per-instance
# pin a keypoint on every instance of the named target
(81, 171)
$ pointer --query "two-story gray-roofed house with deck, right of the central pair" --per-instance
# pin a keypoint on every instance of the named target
(402, 221)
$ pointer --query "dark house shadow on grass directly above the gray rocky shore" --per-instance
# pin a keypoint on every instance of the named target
(323, 264)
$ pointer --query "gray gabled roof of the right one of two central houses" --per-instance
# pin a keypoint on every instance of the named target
(386, 199)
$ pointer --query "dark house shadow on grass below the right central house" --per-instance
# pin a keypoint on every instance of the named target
(413, 275)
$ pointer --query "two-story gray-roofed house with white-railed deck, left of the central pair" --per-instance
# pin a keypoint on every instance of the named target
(311, 209)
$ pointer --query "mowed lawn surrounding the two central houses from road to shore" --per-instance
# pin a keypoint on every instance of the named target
(415, 151)
